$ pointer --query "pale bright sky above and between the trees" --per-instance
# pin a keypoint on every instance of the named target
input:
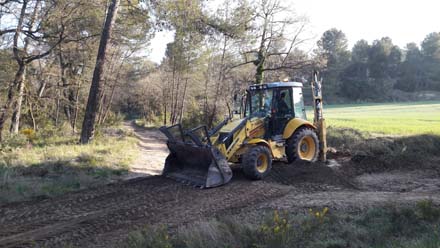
(403, 21)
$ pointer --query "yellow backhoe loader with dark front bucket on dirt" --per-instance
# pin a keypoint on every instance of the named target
(273, 126)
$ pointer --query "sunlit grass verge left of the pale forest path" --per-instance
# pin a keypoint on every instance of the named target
(53, 163)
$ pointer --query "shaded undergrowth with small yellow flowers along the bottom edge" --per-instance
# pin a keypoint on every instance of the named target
(388, 226)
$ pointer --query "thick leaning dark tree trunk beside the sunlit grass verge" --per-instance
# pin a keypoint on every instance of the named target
(93, 102)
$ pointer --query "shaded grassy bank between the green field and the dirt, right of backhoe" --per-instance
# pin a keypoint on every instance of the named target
(379, 153)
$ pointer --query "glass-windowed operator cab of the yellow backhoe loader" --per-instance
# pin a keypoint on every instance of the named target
(277, 102)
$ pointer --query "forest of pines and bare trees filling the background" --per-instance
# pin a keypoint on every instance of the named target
(49, 49)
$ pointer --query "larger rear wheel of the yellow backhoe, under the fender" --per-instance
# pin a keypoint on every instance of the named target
(303, 145)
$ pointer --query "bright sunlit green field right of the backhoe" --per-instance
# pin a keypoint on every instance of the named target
(387, 118)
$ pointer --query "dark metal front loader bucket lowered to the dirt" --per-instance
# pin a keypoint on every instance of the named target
(193, 161)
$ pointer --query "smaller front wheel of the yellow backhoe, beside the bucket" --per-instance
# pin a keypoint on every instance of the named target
(257, 162)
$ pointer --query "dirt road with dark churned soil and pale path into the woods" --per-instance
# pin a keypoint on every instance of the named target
(104, 216)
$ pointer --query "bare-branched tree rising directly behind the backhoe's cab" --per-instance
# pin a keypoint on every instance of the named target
(277, 32)
